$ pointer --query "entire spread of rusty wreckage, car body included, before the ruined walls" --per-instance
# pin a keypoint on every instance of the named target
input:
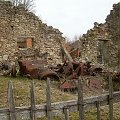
(69, 71)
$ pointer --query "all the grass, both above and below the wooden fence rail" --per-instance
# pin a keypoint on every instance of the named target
(22, 98)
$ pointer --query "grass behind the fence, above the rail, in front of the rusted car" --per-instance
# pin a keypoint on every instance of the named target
(22, 91)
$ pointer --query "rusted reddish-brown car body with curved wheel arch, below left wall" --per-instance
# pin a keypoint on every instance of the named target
(36, 69)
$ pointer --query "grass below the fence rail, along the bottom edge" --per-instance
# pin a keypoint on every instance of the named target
(91, 114)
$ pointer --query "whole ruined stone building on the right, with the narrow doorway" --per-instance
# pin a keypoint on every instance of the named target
(101, 44)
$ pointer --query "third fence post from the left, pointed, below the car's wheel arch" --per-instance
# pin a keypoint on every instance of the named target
(48, 100)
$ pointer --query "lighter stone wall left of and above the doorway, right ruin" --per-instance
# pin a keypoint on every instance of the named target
(90, 43)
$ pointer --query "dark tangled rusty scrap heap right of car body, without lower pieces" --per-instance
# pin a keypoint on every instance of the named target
(73, 70)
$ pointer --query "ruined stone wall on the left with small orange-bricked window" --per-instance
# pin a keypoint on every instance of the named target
(24, 36)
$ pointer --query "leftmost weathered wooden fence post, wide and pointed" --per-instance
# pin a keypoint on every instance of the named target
(11, 101)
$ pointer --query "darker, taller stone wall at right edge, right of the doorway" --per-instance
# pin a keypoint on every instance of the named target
(113, 21)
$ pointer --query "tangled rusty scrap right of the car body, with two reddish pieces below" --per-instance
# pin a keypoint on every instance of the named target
(72, 70)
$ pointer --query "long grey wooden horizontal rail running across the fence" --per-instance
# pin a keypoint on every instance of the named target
(23, 113)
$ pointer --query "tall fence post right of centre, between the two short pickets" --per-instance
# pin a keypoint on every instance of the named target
(80, 99)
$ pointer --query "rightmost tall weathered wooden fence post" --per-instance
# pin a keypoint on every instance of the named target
(110, 97)
